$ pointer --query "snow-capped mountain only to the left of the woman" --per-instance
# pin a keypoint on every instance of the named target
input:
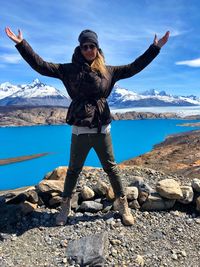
(33, 94)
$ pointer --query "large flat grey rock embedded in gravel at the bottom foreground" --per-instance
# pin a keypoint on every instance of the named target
(88, 251)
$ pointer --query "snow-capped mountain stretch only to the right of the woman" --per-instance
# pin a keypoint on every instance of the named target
(123, 98)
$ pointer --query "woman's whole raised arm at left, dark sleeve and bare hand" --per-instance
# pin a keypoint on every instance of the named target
(32, 58)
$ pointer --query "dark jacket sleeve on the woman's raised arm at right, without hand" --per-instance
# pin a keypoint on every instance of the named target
(126, 71)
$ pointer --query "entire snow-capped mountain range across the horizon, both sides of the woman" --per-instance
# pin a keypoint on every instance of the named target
(40, 94)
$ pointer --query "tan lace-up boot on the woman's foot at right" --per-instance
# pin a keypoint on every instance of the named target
(121, 205)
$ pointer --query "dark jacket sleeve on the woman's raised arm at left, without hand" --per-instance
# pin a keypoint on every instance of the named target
(37, 63)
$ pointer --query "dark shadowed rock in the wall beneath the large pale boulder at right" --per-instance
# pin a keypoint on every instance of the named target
(155, 203)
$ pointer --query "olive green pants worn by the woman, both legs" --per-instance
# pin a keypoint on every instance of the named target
(80, 147)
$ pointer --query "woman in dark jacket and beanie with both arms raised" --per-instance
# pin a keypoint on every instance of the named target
(89, 82)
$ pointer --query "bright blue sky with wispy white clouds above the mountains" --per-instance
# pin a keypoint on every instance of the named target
(125, 29)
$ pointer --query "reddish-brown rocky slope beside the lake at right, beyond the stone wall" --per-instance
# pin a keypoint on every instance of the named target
(178, 154)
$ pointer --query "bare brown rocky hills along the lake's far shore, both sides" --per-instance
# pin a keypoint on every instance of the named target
(27, 116)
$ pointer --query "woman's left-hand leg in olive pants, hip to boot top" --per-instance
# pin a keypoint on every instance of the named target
(80, 147)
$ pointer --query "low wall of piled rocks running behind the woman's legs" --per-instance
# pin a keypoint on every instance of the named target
(87, 198)
